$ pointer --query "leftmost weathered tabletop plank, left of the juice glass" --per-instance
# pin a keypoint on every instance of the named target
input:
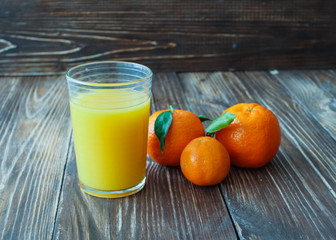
(34, 140)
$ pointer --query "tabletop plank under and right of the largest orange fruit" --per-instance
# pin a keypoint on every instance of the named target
(293, 197)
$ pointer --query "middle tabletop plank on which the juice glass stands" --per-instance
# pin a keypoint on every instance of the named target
(169, 207)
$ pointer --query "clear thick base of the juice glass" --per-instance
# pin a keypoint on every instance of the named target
(113, 194)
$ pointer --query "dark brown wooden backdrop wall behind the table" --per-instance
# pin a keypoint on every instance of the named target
(46, 37)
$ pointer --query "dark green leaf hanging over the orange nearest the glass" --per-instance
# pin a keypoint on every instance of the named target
(161, 127)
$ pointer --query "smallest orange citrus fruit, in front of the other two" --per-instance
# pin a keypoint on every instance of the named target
(205, 161)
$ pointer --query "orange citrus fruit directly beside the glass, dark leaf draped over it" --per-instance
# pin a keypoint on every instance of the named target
(184, 127)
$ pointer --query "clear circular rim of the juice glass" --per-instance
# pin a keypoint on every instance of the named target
(150, 73)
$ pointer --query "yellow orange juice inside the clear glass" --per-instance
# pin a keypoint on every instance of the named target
(110, 133)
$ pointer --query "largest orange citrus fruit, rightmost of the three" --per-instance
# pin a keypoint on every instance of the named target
(253, 138)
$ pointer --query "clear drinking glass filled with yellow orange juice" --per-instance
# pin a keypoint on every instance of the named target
(109, 105)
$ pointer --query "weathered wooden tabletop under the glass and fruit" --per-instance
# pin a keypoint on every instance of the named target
(293, 197)
